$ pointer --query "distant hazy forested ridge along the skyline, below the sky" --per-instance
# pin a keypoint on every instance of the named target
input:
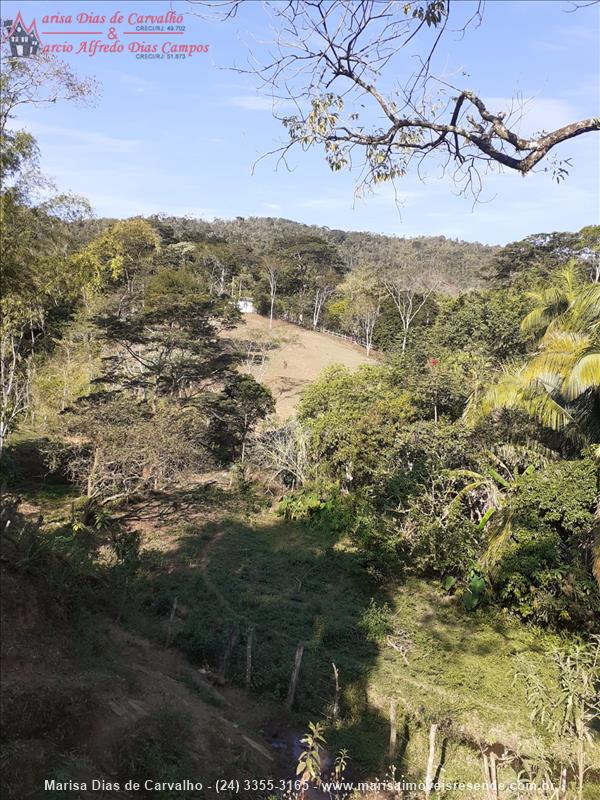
(460, 265)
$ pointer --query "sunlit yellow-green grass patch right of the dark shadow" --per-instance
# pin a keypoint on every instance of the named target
(462, 664)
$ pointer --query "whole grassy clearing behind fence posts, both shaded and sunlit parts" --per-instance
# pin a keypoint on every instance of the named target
(294, 584)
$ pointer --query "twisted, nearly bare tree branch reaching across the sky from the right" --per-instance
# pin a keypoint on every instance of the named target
(336, 63)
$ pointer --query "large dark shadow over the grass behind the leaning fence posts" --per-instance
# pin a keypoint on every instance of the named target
(280, 584)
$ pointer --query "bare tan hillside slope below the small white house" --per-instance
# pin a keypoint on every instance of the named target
(299, 355)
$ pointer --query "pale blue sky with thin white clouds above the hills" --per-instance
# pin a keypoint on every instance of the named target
(182, 136)
